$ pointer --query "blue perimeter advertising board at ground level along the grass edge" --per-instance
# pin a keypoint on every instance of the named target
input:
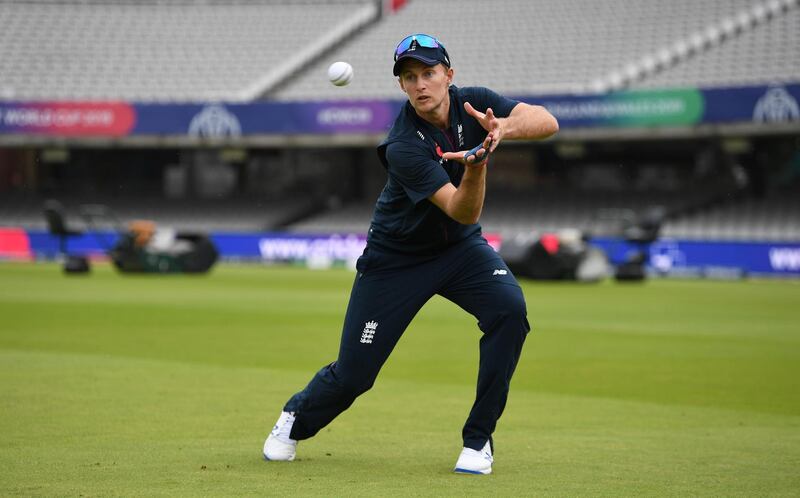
(666, 256)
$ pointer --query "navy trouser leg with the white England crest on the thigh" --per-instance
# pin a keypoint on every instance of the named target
(382, 303)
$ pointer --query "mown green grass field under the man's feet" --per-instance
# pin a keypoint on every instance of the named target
(166, 386)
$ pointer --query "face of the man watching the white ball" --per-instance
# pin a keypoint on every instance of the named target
(426, 86)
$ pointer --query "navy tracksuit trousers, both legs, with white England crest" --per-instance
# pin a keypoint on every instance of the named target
(388, 292)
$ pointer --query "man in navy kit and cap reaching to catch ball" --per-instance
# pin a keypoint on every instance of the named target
(424, 239)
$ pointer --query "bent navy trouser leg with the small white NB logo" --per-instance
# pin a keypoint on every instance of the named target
(483, 286)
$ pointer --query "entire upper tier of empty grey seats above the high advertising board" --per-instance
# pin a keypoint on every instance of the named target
(192, 50)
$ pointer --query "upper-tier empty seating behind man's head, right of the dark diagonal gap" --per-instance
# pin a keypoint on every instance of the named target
(540, 47)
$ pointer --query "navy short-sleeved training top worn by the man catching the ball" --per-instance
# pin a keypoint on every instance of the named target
(404, 219)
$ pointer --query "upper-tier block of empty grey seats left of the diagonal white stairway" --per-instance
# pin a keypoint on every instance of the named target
(163, 50)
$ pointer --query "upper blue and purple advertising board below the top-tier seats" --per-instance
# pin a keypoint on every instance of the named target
(632, 109)
